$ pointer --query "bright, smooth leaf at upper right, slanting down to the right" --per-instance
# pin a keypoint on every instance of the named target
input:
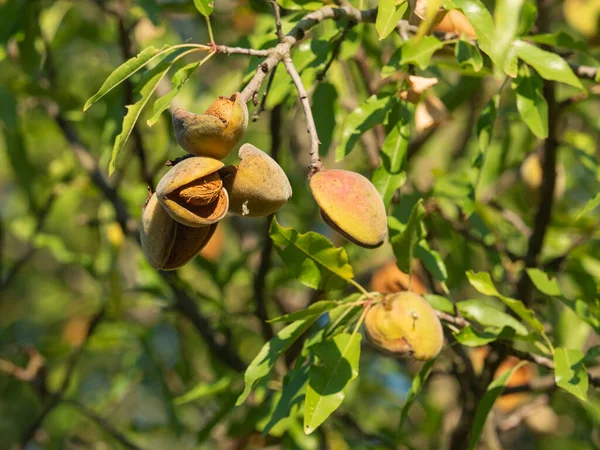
(549, 65)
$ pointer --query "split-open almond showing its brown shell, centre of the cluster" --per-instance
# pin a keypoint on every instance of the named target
(192, 192)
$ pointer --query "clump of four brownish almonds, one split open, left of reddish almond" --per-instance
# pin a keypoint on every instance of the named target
(181, 217)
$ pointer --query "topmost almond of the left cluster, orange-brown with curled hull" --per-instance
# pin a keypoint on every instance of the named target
(214, 133)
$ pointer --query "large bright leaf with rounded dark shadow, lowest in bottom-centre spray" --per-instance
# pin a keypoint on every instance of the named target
(330, 377)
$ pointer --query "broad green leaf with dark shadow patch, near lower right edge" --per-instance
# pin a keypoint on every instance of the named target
(570, 373)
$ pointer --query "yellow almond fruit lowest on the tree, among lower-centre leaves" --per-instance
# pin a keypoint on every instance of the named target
(405, 324)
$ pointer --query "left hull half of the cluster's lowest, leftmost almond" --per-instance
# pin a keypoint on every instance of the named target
(157, 233)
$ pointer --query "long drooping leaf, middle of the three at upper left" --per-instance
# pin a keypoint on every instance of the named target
(145, 89)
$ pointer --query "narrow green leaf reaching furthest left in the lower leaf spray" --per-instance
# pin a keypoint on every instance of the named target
(263, 363)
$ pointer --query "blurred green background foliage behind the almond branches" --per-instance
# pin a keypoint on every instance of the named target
(79, 301)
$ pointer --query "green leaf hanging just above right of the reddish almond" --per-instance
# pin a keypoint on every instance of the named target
(390, 176)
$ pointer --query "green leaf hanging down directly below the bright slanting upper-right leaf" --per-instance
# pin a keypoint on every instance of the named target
(531, 103)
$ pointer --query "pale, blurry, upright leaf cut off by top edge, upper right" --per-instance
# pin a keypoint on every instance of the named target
(506, 20)
